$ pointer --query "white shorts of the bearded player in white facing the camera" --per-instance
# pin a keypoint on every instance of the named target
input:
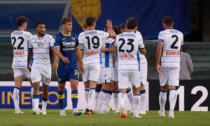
(41, 74)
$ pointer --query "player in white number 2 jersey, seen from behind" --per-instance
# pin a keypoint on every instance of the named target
(169, 45)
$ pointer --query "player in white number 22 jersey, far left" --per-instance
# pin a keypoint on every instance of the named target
(19, 39)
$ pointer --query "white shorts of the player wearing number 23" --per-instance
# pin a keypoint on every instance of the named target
(125, 78)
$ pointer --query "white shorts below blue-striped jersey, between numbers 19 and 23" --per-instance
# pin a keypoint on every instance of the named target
(105, 75)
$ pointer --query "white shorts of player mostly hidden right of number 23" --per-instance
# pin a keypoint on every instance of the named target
(143, 72)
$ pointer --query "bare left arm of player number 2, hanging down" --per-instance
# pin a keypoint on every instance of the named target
(158, 56)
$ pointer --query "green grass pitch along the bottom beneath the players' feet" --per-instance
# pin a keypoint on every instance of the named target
(53, 118)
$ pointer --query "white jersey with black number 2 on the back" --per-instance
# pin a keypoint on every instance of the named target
(172, 40)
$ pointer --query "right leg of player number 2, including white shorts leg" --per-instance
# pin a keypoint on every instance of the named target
(173, 82)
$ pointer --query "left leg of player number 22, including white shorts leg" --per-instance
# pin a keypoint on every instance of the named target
(18, 77)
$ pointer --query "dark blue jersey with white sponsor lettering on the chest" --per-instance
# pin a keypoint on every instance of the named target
(68, 45)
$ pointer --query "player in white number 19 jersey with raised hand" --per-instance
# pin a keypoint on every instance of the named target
(91, 41)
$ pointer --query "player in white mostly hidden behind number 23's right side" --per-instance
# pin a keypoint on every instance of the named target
(143, 71)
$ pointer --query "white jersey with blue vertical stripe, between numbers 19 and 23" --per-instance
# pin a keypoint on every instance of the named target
(107, 57)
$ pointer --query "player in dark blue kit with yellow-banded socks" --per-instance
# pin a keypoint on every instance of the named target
(68, 59)
